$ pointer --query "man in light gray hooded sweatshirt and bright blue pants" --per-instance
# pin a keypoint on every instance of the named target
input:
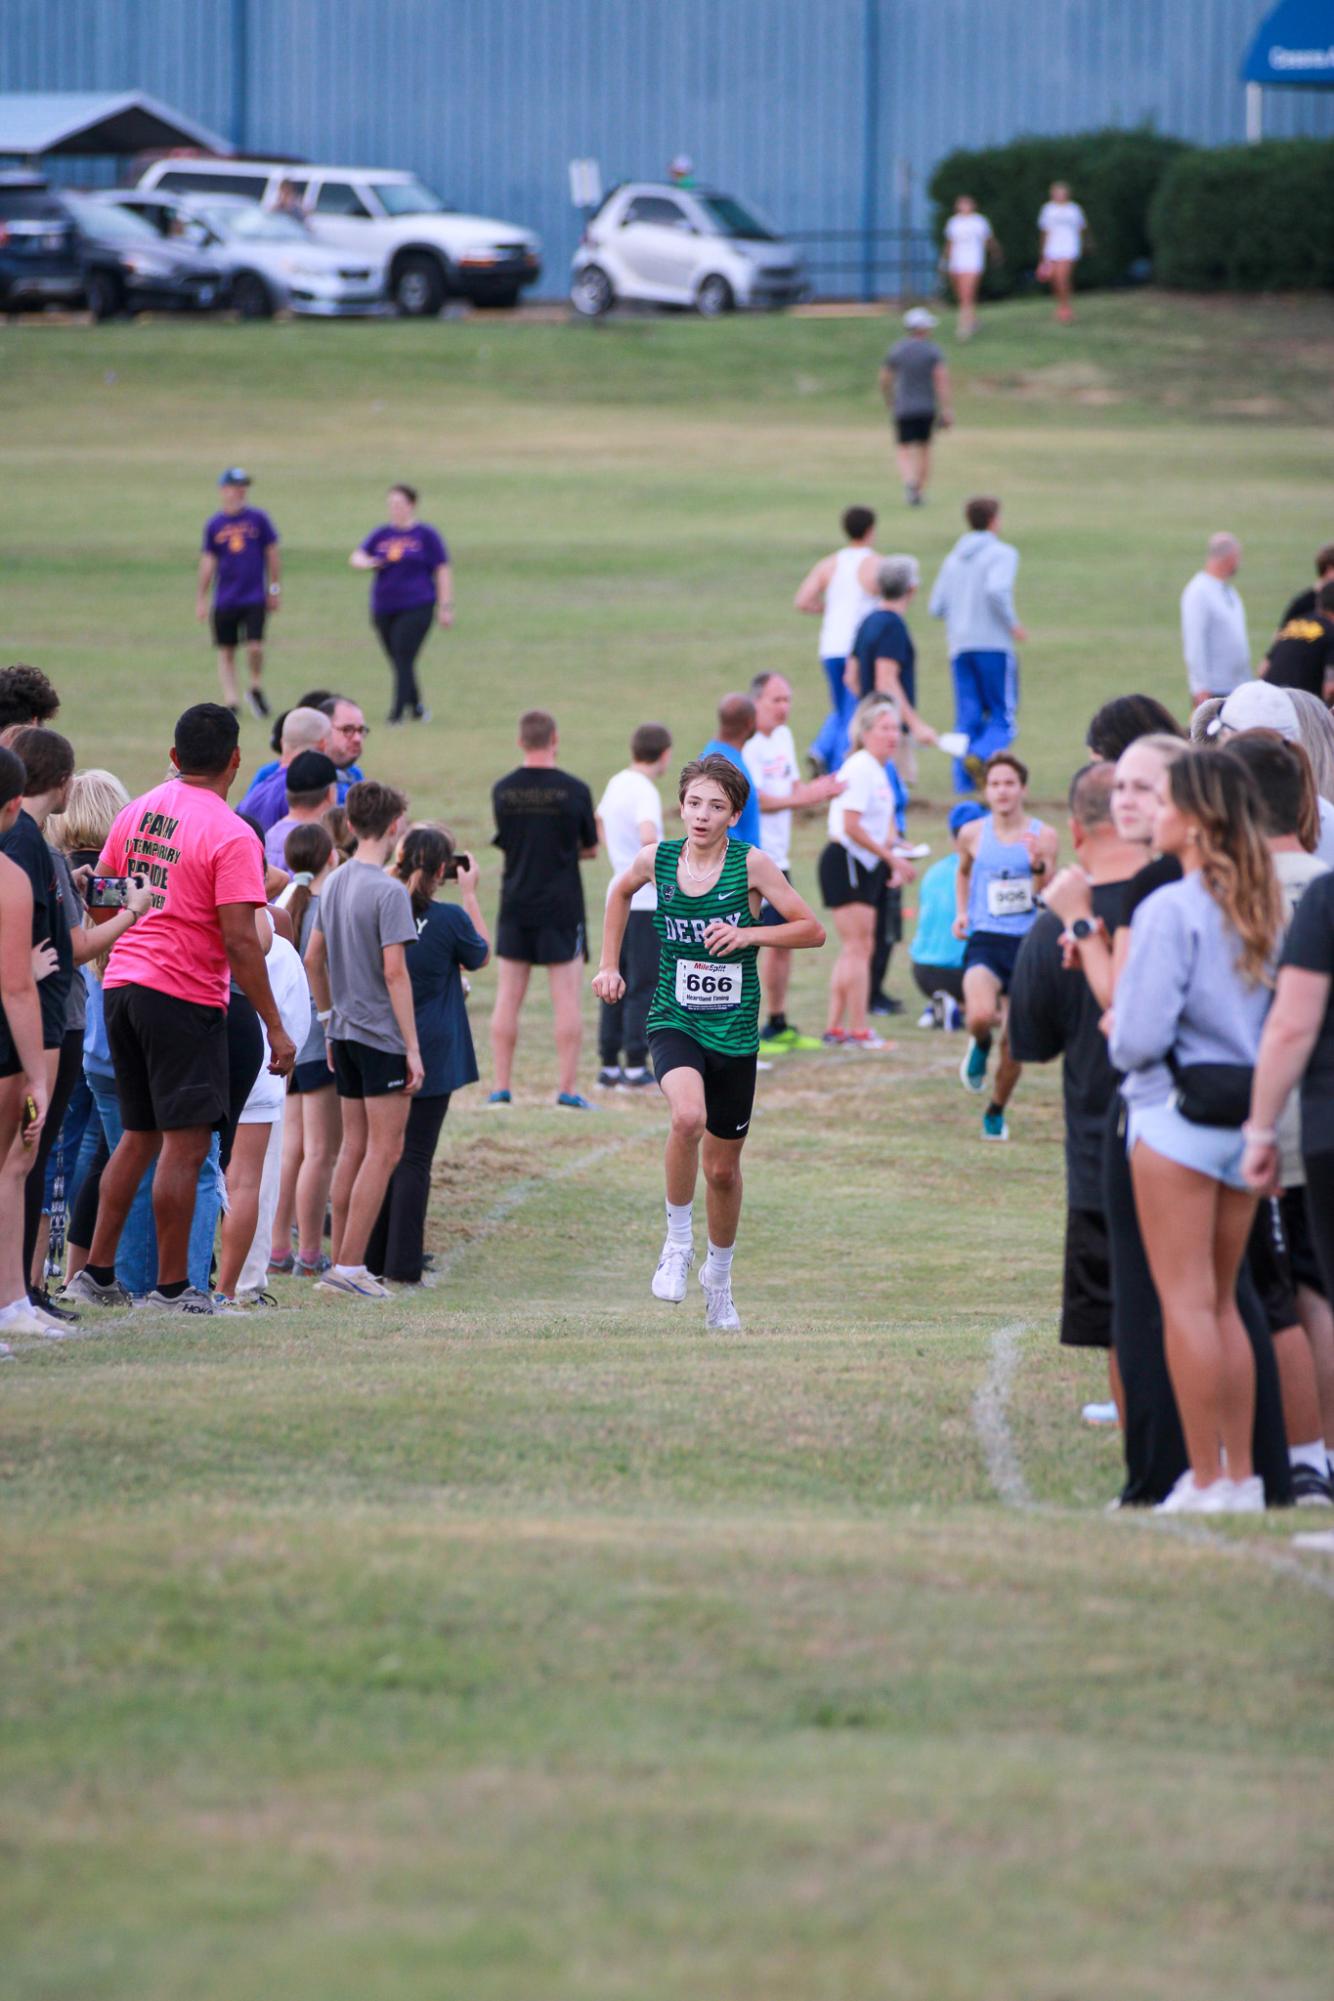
(975, 595)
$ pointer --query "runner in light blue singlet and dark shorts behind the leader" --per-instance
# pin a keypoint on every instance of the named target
(1003, 863)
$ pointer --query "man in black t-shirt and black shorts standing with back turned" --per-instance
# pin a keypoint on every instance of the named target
(545, 829)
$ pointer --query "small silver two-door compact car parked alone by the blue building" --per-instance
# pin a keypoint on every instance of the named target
(683, 247)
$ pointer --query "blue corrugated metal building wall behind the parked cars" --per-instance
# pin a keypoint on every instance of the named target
(491, 101)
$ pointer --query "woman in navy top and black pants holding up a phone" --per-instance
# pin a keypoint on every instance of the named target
(449, 939)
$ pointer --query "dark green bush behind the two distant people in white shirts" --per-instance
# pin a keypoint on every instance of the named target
(1113, 177)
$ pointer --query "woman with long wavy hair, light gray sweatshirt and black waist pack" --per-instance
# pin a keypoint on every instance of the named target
(1187, 1026)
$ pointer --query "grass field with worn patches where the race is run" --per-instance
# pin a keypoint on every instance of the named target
(519, 1644)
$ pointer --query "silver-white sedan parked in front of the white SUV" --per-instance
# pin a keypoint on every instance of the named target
(273, 261)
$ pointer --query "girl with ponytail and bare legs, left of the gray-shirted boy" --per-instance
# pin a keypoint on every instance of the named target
(313, 1120)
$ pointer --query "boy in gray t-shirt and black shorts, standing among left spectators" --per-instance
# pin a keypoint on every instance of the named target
(365, 999)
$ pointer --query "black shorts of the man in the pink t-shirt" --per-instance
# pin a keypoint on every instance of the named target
(171, 1060)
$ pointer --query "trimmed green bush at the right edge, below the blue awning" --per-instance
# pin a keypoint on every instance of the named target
(1247, 219)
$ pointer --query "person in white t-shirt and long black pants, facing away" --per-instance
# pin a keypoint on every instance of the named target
(629, 819)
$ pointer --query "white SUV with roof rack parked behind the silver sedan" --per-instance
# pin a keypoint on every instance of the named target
(425, 249)
